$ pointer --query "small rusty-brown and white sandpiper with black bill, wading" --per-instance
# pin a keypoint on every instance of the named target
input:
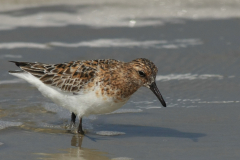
(90, 86)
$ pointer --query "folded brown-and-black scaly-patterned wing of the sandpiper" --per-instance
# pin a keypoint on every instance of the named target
(70, 77)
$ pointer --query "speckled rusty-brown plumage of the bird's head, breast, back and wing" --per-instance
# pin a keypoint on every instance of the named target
(115, 78)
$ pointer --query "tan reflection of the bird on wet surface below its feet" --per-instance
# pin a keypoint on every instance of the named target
(76, 152)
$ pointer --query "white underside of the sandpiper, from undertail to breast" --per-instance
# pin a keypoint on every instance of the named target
(82, 104)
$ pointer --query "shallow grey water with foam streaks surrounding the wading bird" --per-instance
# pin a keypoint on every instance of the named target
(194, 44)
